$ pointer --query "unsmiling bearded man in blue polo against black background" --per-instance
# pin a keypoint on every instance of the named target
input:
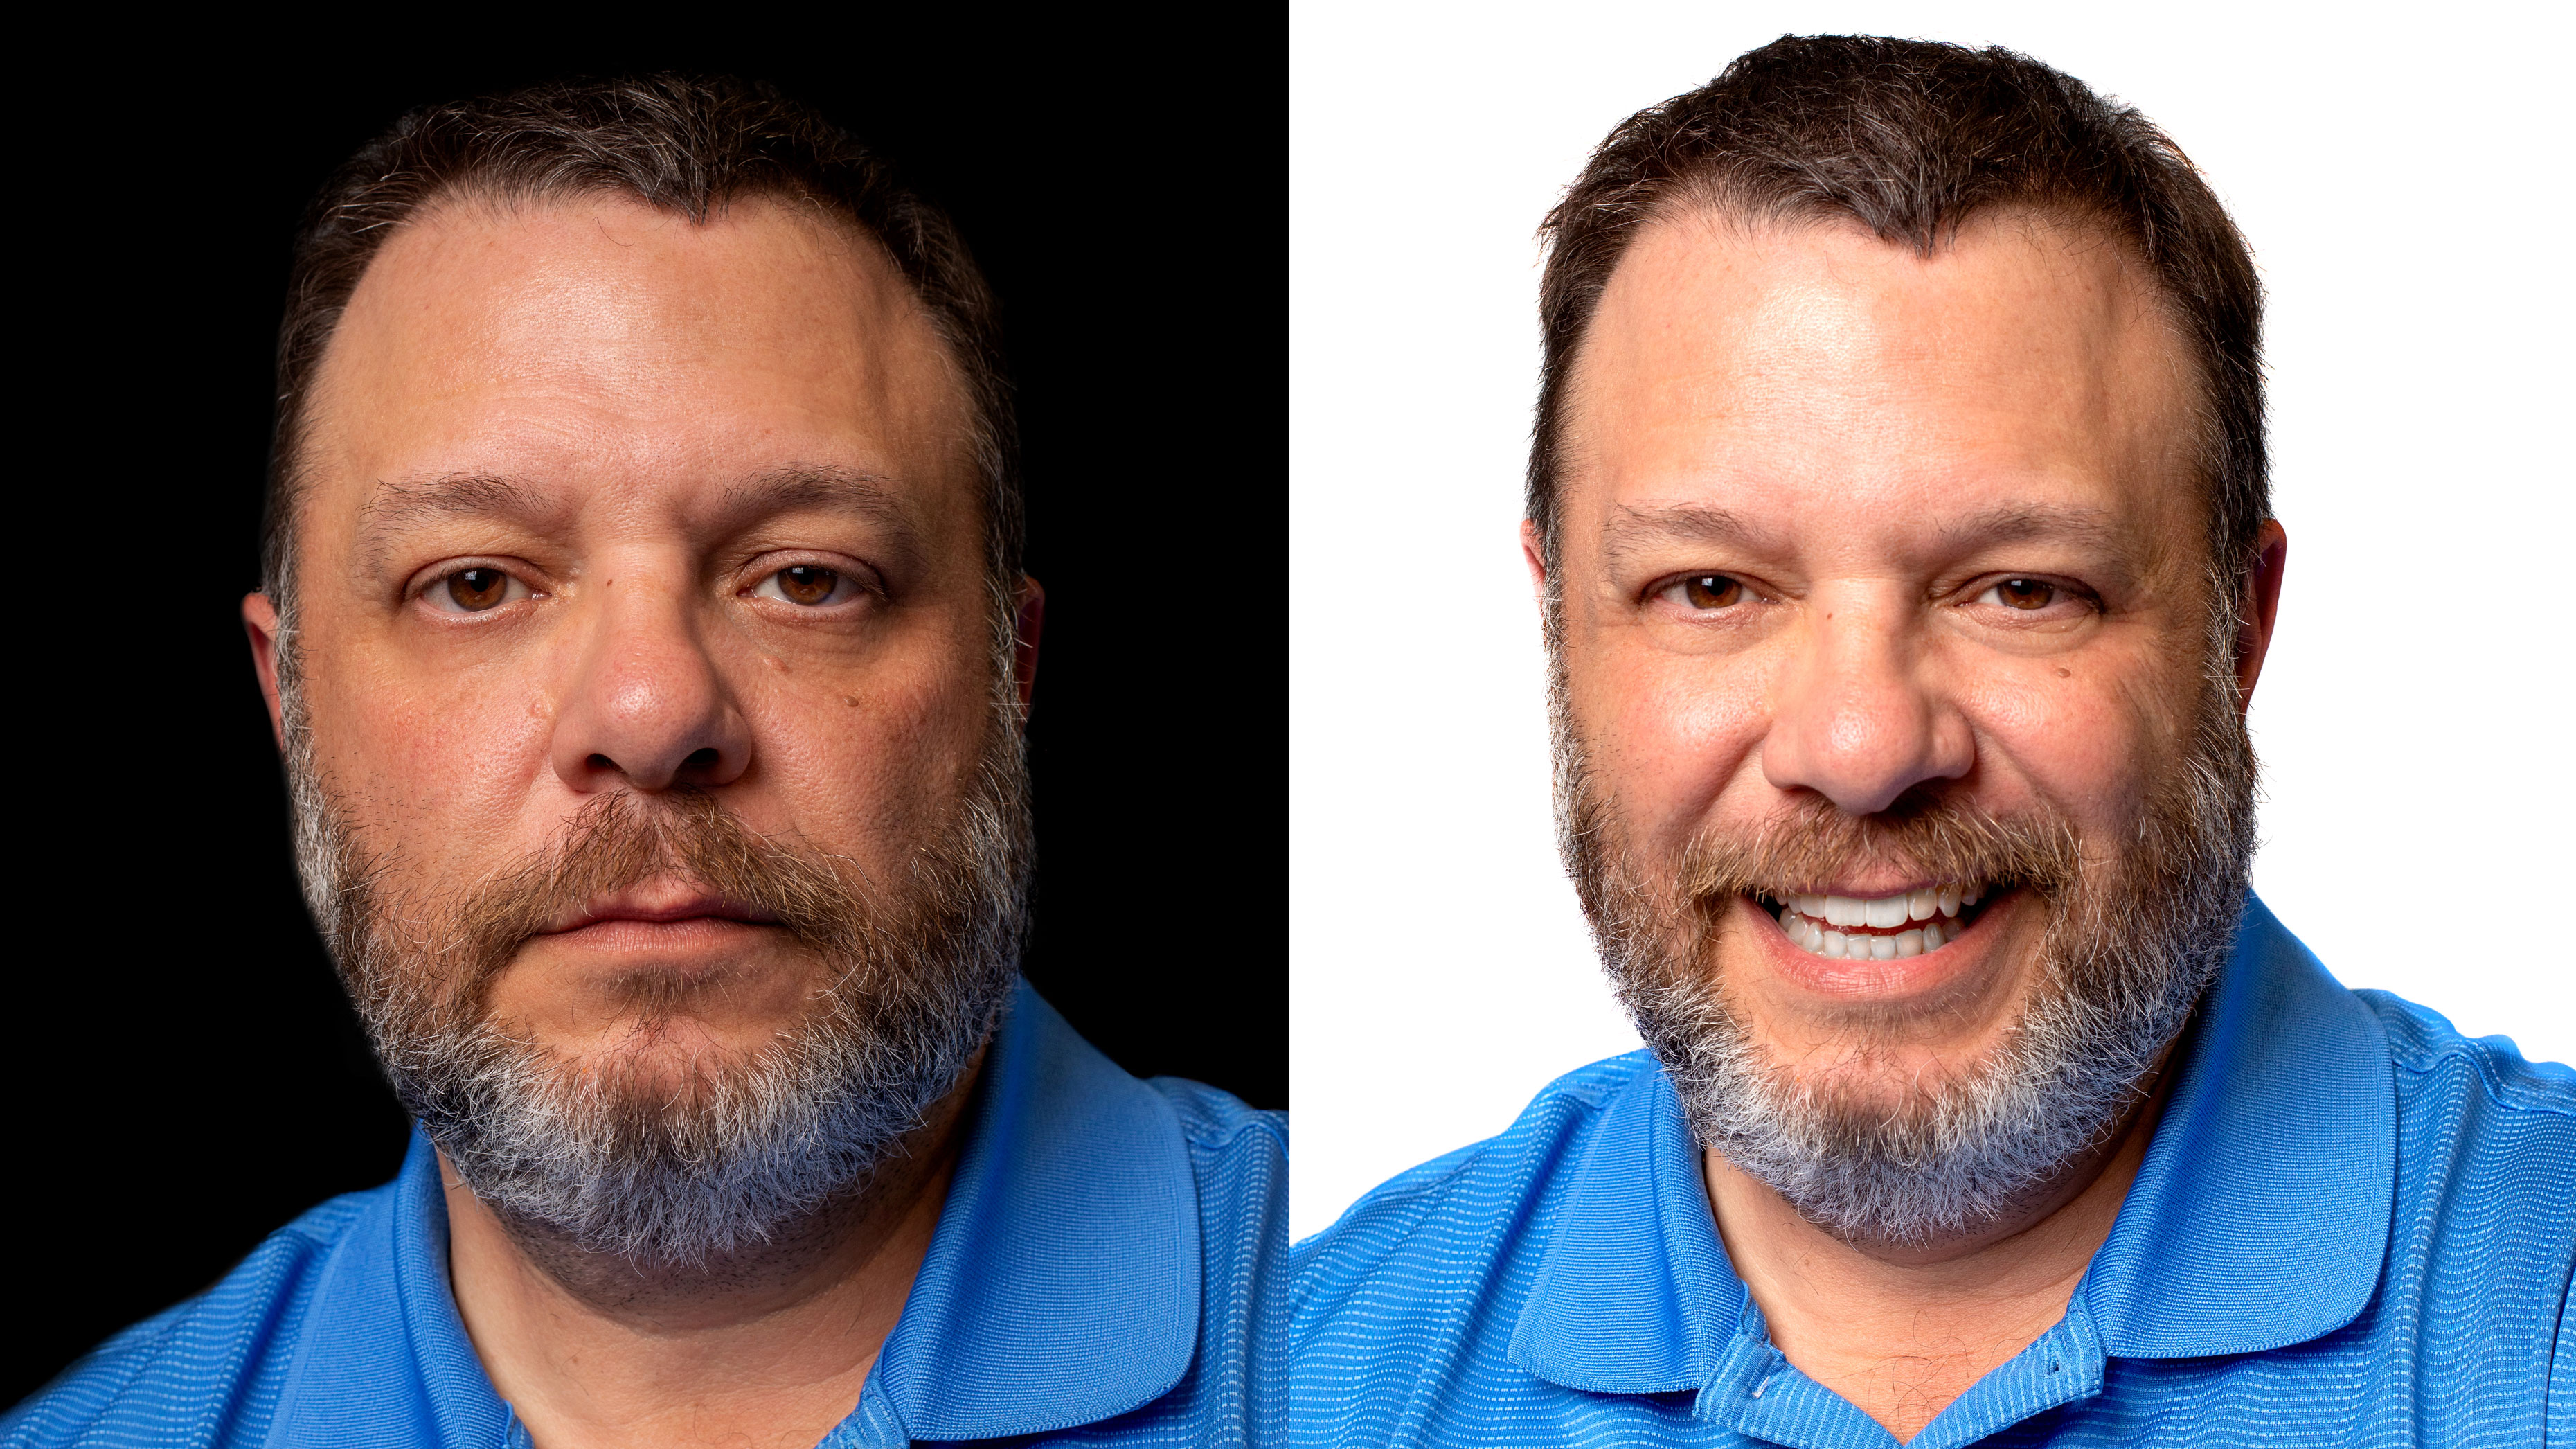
(648, 643)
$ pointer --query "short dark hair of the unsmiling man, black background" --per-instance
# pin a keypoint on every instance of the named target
(681, 146)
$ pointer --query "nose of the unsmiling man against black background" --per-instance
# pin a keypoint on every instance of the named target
(645, 705)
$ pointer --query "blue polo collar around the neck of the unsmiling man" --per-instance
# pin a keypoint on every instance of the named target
(1063, 1283)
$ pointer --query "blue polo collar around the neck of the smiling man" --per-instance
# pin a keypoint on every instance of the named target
(2260, 1216)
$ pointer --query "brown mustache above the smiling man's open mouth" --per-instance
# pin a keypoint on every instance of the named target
(1812, 842)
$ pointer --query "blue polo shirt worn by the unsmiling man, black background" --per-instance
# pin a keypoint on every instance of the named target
(1106, 1272)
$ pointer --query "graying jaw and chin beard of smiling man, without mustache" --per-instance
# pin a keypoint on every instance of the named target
(2124, 968)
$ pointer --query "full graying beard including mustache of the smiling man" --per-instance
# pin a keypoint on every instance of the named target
(2121, 966)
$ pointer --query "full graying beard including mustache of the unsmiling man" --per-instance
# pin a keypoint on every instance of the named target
(612, 1156)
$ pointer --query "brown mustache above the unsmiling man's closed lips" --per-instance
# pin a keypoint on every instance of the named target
(622, 842)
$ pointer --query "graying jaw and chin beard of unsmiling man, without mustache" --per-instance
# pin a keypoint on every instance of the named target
(751, 1143)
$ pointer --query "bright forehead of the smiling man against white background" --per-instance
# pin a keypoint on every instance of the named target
(1812, 365)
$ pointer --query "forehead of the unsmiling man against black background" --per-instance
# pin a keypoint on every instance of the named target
(601, 344)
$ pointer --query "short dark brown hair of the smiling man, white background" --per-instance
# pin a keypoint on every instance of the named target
(1913, 138)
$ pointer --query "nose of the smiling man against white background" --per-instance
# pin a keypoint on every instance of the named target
(1859, 715)
